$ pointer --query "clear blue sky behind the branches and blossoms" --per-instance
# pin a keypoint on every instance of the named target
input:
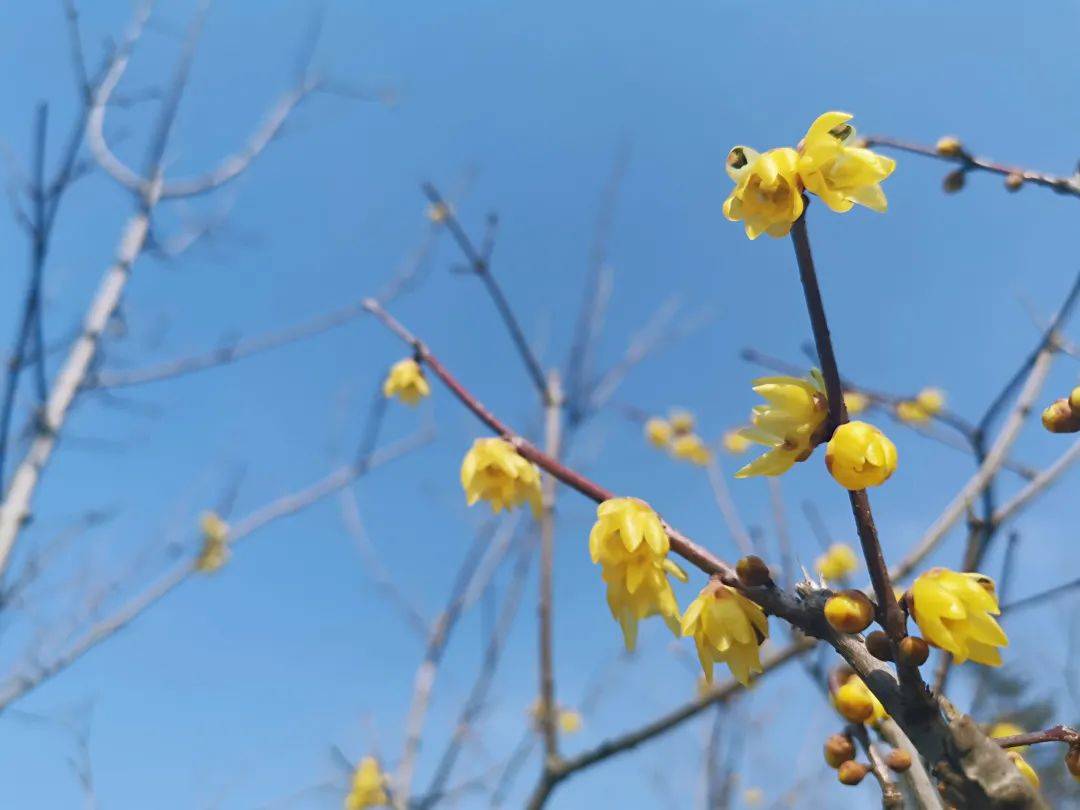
(232, 692)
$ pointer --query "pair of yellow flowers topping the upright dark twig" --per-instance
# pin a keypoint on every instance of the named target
(829, 163)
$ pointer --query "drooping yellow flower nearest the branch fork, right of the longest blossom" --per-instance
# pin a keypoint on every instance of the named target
(730, 628)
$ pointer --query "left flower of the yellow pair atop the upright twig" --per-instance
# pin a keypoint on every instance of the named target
(768, 195)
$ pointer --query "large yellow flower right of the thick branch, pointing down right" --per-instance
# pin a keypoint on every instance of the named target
(956, 612)
